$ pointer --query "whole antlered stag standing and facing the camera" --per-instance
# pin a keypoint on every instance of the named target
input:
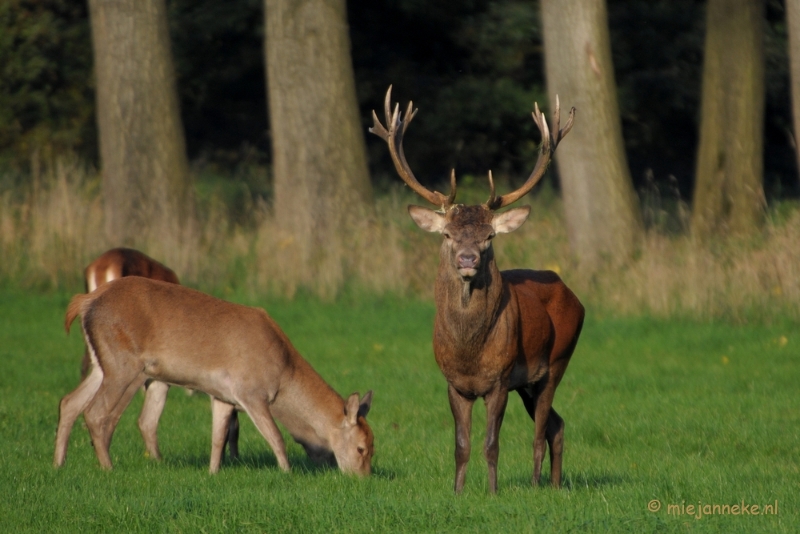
(494, 331)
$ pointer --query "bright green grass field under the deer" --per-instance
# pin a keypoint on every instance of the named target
(658, 413)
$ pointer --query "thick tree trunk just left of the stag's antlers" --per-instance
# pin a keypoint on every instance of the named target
(319, 152)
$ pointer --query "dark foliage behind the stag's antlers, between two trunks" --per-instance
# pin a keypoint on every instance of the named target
(473, 69)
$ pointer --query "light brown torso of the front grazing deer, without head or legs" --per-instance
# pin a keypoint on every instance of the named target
(185, 337)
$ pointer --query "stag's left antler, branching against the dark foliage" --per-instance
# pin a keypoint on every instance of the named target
(394, 138)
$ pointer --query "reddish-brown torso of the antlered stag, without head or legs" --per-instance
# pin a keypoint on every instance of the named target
(531, 329)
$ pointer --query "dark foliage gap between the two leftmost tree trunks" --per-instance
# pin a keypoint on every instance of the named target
(218, 50)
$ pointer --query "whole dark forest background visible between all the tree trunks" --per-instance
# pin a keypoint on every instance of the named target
(474, 68)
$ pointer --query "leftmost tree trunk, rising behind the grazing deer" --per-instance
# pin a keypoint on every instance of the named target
(142, 147)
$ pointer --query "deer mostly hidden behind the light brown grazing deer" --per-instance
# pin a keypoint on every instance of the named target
(114, 264)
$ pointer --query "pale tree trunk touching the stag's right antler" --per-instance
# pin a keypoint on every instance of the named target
(602, 212)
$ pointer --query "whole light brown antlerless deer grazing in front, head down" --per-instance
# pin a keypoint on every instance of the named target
(139, 329)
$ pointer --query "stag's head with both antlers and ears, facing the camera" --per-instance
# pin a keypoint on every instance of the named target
(468, 230)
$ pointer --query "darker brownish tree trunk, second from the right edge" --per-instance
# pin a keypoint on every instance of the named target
(729, 194)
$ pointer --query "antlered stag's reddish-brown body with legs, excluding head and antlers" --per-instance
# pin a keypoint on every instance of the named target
(513, 331)
